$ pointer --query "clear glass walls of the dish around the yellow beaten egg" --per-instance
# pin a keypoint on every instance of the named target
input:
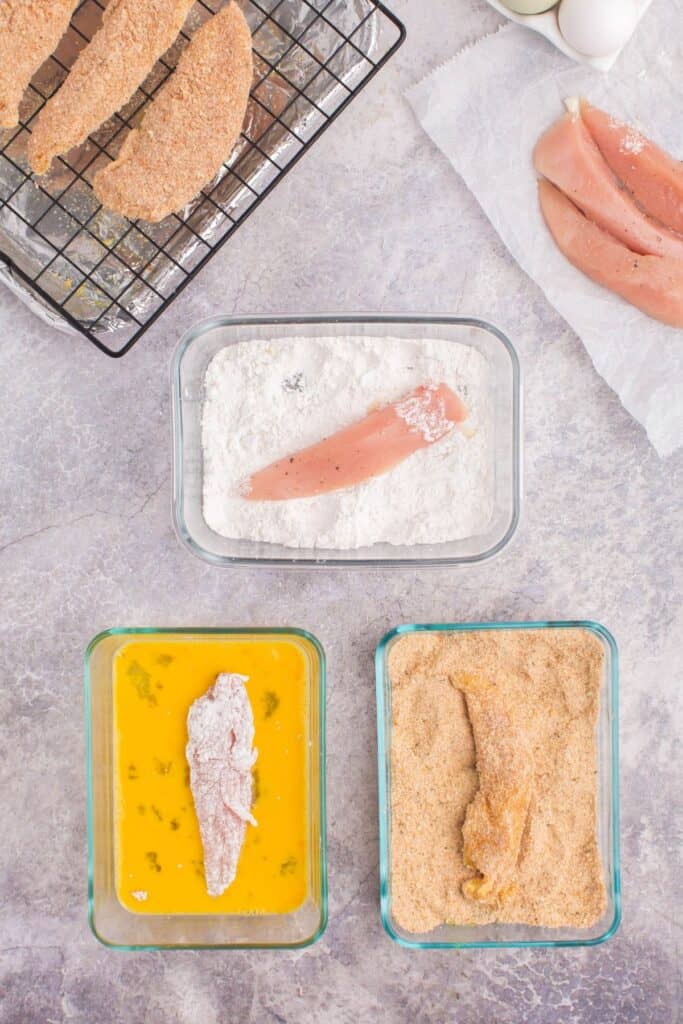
(111, 923)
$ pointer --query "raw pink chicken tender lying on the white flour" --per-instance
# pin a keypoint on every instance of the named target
(365, 450)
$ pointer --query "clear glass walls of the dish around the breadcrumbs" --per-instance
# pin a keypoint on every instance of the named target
(506, 935)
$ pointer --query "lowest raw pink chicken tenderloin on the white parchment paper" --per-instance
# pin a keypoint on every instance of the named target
(653, 284)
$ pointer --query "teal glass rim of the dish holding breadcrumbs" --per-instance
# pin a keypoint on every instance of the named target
(383, 770)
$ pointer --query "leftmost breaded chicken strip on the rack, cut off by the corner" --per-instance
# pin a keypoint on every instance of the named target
(30, 31)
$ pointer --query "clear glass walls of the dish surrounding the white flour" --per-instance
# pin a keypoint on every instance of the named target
(201, 344)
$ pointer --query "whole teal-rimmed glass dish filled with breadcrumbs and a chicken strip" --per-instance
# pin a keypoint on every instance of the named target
(498, 760)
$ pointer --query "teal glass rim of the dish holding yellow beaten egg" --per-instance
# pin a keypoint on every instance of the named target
(135, 632)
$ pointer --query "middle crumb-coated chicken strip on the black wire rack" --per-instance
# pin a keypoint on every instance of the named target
(123, 52)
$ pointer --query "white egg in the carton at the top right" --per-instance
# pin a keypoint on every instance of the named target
(597, 28)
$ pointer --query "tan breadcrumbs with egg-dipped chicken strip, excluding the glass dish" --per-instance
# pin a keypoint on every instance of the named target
(494, 779)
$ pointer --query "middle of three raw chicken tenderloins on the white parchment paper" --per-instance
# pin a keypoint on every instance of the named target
(568, 156)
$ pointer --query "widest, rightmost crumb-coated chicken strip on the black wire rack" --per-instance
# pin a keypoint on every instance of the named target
(190, 130)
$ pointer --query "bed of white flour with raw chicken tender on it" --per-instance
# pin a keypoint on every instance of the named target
(349, 442)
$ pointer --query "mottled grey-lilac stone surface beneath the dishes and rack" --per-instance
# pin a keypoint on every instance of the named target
(87, 542)
